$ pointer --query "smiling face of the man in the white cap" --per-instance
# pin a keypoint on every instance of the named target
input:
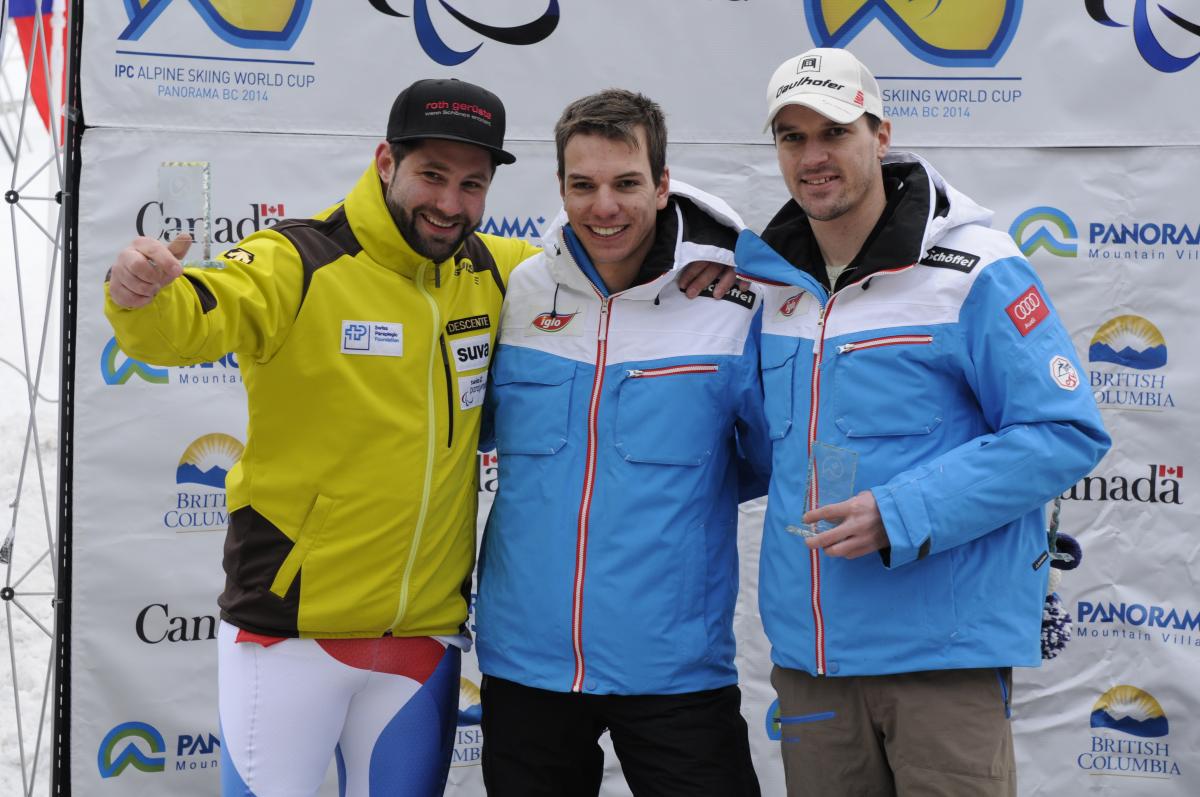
(832, 170)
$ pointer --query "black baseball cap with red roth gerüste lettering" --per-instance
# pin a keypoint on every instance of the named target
(452, 110)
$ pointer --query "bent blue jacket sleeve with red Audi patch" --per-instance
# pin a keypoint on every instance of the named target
(1022, 367)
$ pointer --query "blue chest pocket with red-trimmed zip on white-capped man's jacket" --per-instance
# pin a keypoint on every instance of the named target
(889, 386)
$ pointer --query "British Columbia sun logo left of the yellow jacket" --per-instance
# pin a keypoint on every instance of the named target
(200, 501)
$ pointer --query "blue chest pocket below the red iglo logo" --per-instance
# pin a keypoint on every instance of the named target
(533, 404)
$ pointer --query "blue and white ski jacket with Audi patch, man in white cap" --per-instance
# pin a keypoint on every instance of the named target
(941, 363)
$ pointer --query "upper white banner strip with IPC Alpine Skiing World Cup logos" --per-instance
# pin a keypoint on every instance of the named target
(958, 73)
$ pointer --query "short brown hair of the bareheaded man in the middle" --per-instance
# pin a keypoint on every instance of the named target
(616, 115)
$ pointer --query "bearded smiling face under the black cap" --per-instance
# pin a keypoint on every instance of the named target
(436, 194)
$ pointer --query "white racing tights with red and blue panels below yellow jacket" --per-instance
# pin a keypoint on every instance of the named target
(386, 709)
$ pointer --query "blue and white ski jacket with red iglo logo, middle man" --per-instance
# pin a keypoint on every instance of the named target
(609, 564)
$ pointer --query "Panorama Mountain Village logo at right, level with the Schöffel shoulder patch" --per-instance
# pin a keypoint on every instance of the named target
(1051, 230)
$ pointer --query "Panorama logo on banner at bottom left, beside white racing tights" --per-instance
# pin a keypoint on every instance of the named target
(142, 747)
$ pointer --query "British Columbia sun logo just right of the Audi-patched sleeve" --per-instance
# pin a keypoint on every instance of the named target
(1127, 365)
